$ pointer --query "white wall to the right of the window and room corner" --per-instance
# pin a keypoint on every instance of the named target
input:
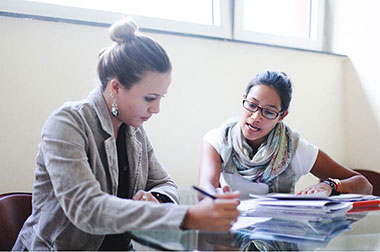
(354, 30)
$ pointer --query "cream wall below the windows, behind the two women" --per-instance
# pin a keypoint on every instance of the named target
(44, 64)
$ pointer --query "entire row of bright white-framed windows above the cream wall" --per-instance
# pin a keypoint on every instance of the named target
(288, 23)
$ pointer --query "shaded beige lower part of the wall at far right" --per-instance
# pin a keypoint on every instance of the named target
(362, 132)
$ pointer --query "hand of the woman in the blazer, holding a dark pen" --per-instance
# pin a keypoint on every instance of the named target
(213, 215)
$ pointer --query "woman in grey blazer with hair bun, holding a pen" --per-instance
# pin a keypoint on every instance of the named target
(97, 175)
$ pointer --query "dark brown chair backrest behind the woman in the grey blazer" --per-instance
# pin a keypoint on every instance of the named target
(15, 208)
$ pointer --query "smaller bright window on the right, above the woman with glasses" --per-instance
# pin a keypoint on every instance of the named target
(292, 23)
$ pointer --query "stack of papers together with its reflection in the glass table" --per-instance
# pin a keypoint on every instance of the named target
(291, 222)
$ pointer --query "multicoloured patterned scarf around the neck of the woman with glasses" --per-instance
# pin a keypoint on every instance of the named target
(271, 159)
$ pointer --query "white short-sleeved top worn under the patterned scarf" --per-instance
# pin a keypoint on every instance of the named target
(301, 163)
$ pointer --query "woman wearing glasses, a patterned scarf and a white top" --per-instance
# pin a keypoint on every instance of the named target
(257, 153)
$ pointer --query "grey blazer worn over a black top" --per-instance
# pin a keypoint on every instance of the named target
(76, 179)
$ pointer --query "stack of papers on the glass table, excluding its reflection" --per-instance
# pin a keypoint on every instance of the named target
(293, 207)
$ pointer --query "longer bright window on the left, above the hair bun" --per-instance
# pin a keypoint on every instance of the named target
(200, 17)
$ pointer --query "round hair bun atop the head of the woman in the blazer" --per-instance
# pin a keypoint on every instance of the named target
(123, 31)
